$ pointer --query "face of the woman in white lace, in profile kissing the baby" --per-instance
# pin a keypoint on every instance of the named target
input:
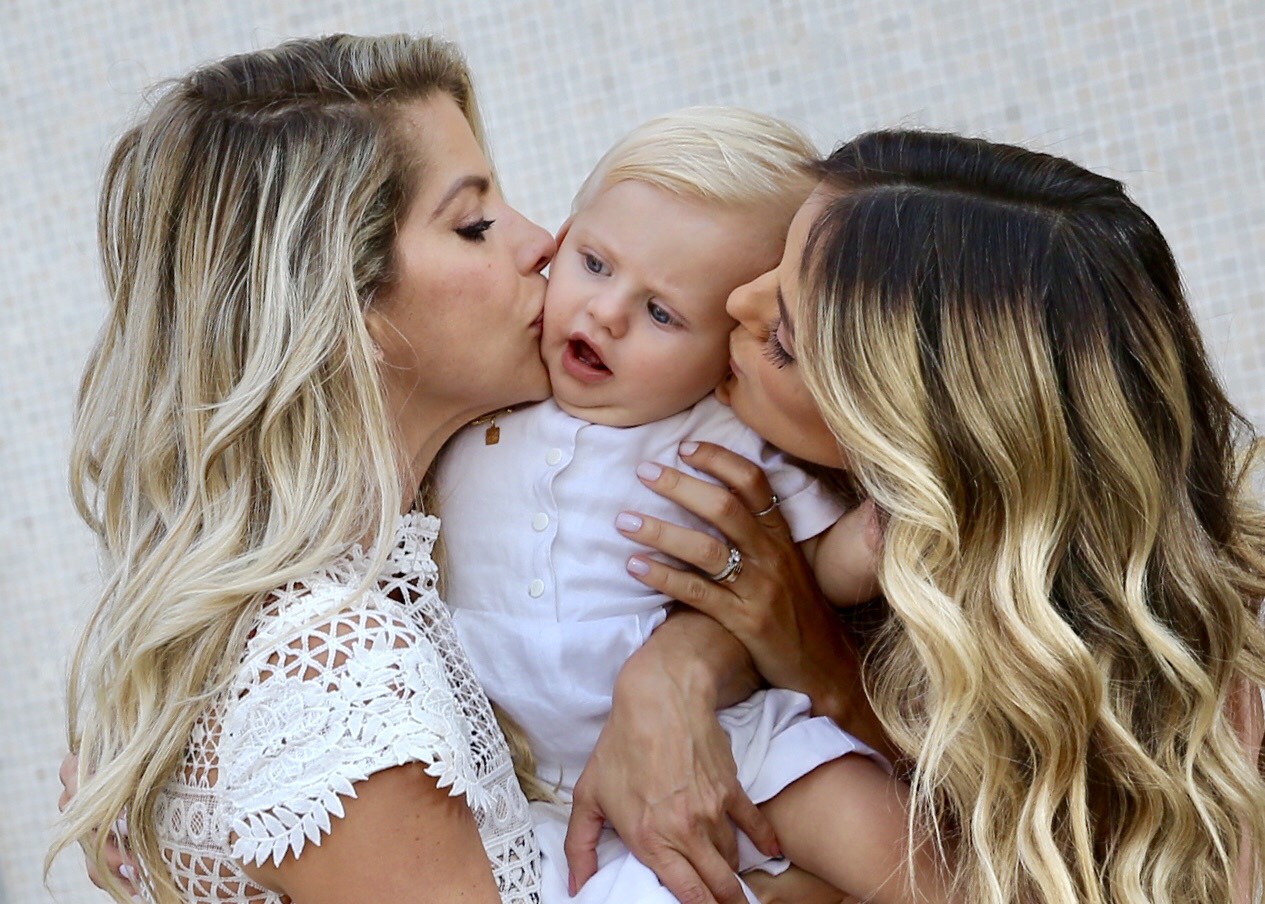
(460, 324)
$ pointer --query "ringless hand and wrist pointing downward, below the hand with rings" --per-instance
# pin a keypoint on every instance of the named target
(663, 774)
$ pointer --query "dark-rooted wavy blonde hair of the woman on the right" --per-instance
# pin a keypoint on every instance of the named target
(1075, 561)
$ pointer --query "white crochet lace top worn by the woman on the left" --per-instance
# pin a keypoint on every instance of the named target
(331, 691)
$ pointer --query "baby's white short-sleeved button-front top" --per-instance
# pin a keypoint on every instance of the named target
(551, 657)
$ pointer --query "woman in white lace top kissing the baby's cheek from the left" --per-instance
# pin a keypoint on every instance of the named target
(314, 283)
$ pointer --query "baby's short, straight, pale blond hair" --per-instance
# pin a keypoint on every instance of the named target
(723, 155)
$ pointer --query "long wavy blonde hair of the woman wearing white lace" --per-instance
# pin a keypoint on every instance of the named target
(232, 433)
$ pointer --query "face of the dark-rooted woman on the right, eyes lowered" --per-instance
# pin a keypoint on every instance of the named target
(766, 390)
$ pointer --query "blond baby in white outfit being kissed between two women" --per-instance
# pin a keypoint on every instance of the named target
(680, 213)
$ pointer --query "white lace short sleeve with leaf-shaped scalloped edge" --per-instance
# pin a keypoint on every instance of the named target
(330, 706)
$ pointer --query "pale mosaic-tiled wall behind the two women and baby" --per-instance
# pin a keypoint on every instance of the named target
(1168, 95)
